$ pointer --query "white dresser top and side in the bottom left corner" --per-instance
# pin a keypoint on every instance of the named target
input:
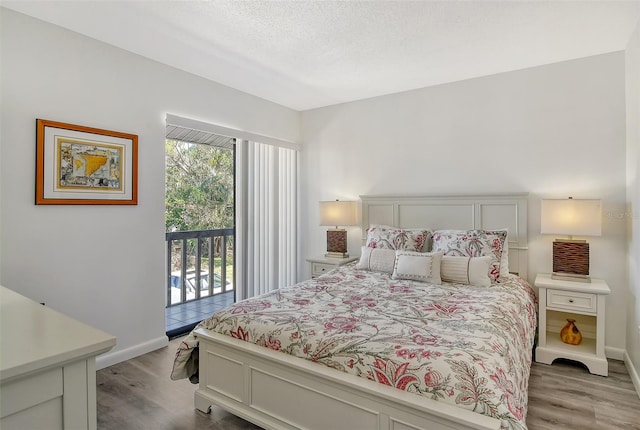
(47, 367)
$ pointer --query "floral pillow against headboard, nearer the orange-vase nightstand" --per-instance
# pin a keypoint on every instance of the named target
(472, 243)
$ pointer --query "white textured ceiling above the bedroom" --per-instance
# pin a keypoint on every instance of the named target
(308, 54)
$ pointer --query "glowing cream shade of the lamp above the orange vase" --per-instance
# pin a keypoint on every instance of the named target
(572, 217)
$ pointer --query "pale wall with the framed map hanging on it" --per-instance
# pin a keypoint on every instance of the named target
(103, 265)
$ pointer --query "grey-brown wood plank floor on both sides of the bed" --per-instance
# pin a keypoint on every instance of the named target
(138, 394)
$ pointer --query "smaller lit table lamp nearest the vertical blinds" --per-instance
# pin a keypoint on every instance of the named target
(337, 213)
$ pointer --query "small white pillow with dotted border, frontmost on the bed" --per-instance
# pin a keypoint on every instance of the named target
(418, 266)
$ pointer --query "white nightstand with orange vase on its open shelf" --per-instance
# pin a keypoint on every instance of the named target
(581, 301)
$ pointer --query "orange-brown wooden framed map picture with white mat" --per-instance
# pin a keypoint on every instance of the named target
(78, 165)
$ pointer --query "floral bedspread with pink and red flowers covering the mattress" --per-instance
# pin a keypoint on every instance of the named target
(469, 346)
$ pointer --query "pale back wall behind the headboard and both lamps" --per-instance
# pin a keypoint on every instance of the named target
(552, 131)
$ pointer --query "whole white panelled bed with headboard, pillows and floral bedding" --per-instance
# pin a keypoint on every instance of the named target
(382, 347)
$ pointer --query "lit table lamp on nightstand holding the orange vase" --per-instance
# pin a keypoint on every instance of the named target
(571, 217)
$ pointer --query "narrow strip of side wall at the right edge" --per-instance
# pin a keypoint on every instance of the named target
(633, 200)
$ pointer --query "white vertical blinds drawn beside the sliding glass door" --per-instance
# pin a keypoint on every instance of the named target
(266, 218)
